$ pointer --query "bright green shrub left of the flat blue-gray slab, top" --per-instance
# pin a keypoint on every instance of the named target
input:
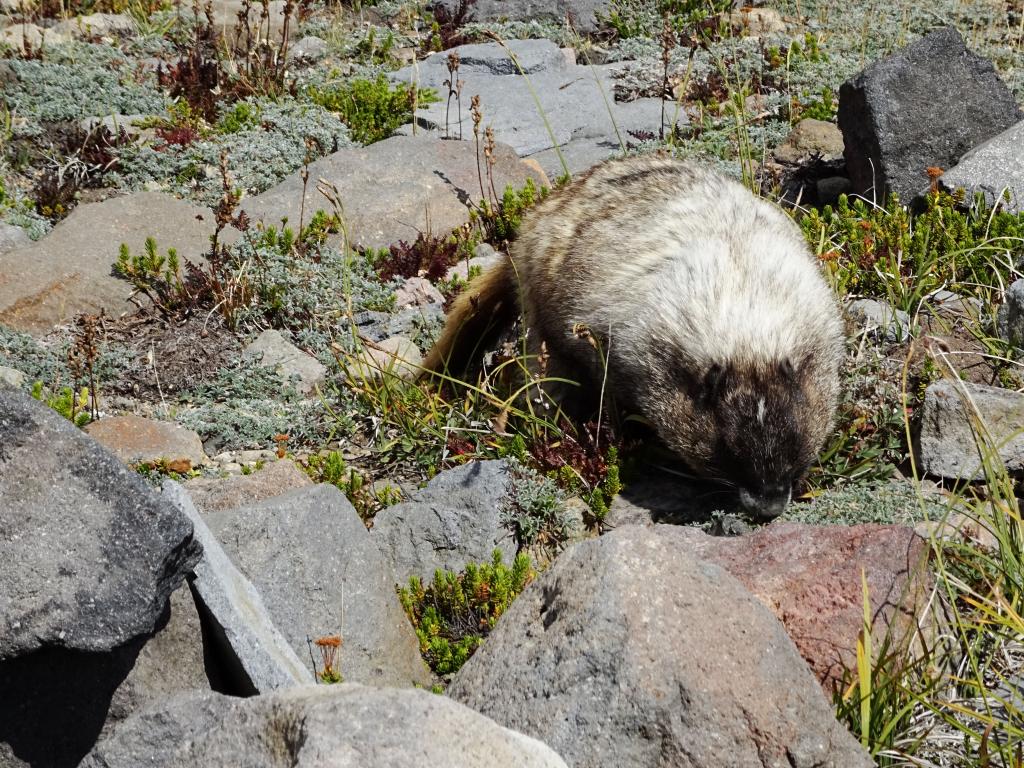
(371, 109)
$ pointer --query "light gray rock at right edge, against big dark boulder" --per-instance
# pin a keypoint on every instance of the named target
(993, 168)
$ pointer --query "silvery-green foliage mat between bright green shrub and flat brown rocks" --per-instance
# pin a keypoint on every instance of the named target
(287, 135)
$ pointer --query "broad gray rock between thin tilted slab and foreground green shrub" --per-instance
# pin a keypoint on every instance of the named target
(321, 573)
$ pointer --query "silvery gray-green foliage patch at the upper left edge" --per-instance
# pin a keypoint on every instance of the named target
(79, 80)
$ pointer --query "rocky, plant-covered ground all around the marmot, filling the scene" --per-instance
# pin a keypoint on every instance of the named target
(230, 233)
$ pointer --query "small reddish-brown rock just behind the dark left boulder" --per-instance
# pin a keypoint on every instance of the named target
(139, 441)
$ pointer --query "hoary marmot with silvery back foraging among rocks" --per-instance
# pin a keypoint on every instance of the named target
(706, 302)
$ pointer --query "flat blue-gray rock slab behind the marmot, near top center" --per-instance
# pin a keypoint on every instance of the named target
(571, 98)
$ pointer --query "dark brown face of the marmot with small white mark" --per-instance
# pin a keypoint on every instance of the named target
(761, 443)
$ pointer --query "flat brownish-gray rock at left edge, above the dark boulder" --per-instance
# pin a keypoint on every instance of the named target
(69, 271)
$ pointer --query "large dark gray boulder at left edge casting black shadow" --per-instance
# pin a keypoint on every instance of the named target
(90, 553)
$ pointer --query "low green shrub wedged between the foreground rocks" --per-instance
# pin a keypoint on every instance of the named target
(456, 612)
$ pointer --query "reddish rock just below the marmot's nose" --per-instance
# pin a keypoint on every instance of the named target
(810, 577)
